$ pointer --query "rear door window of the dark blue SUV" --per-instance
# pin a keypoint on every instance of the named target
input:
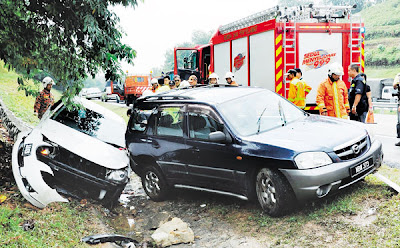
(170, 122)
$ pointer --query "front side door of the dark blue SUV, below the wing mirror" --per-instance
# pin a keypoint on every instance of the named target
(215, 165)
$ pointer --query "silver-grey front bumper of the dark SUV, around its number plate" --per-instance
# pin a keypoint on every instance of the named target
(327, 180)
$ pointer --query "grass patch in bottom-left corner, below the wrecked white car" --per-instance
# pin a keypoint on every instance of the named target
(58, 225)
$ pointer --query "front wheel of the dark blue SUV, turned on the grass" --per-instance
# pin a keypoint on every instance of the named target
(274, 193)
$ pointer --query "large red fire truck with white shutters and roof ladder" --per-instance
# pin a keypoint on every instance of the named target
(260, 48)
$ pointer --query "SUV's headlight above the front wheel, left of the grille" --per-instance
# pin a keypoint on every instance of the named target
(308, 160)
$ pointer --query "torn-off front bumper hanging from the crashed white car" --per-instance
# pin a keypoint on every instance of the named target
(41, 181)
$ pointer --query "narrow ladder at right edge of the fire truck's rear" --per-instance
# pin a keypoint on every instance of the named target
(355, 41)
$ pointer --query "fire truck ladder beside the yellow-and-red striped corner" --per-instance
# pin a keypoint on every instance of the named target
(289, 48)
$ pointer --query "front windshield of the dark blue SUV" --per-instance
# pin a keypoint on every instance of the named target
(259, 112)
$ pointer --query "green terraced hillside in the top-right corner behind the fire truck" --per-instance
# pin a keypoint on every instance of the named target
(382, 37)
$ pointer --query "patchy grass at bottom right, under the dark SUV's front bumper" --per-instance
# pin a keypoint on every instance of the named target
(362, 215)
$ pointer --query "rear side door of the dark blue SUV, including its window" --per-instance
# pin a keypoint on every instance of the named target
(167, 142)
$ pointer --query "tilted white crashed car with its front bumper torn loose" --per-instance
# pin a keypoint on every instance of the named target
(75, 153)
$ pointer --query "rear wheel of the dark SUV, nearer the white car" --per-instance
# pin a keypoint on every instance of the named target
(154, 184)
